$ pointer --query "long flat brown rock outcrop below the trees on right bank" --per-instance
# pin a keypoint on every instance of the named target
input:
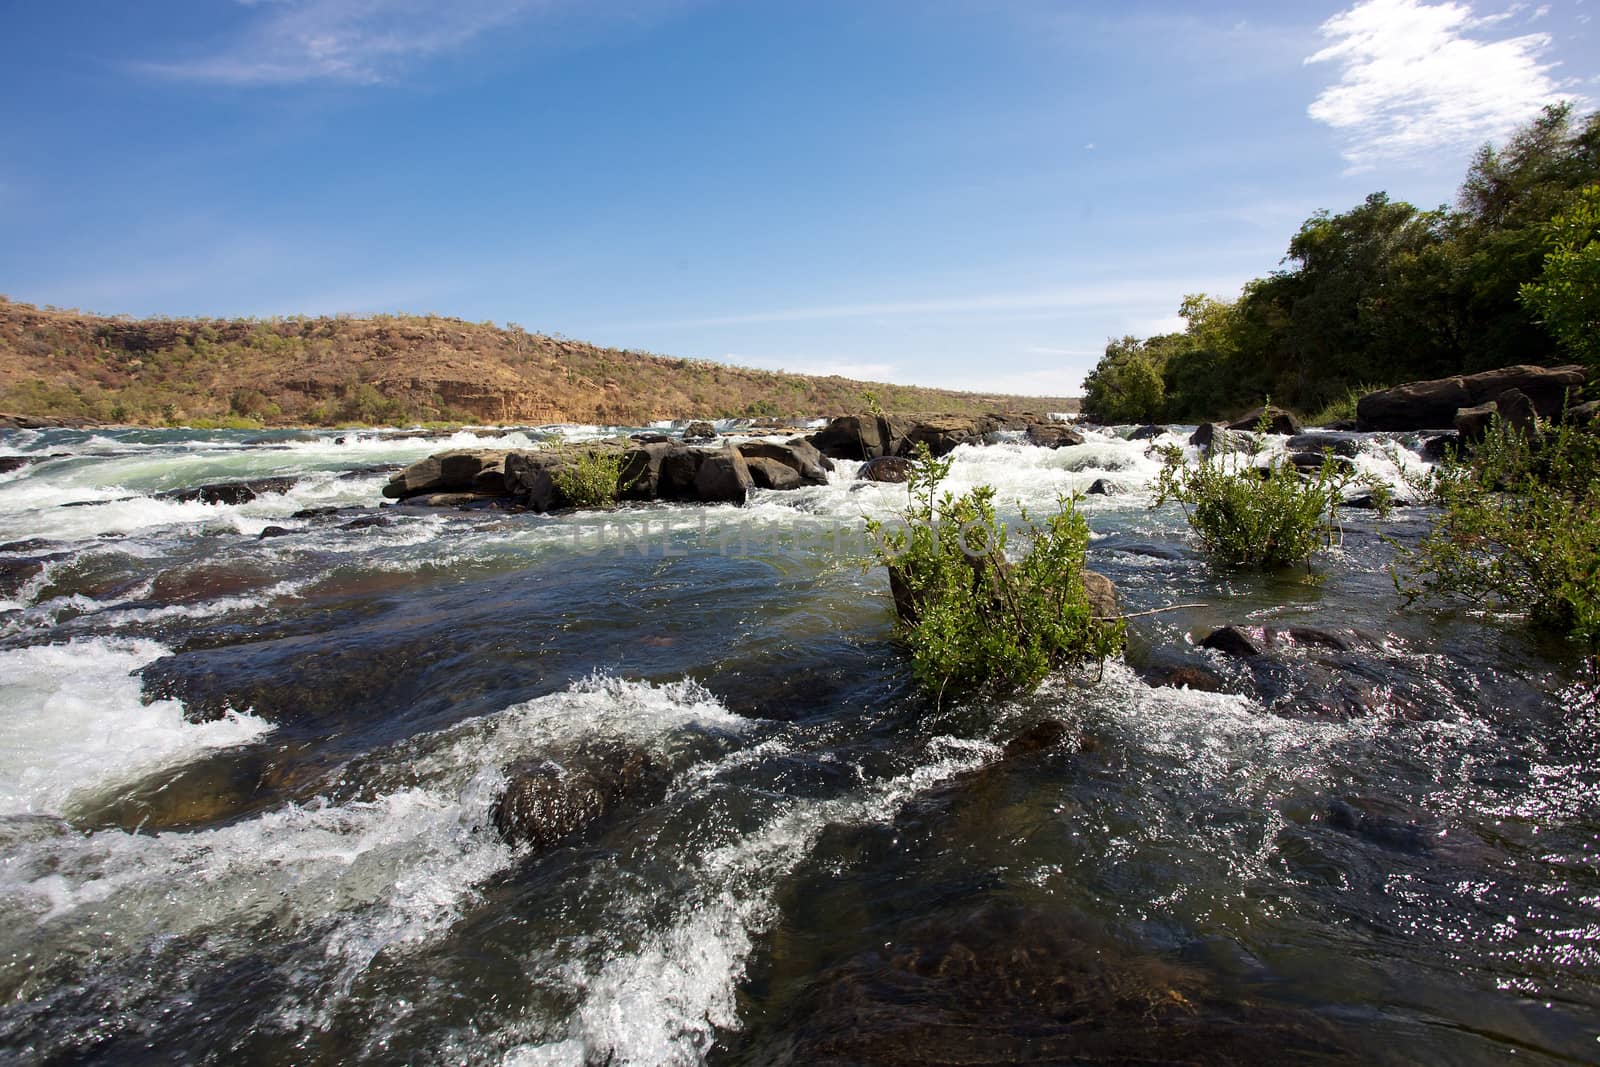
(1434, 404)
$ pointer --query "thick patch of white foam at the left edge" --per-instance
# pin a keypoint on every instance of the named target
(71, 719)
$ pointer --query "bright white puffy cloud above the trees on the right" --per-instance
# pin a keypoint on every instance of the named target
(1414, 81)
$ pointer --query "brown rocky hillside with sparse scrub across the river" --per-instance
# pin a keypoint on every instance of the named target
(396, 370)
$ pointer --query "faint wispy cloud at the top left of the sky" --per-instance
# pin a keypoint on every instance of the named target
(361, 42)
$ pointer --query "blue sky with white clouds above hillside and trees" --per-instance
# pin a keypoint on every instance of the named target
(951, 193)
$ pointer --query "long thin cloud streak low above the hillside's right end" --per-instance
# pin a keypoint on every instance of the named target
(1113, 295)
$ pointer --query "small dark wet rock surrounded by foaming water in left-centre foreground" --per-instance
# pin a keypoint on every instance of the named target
(546, 804)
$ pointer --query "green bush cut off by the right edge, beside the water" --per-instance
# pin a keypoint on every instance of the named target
(1519, 529)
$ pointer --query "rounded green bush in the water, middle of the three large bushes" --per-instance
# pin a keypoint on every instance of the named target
(1257, 518)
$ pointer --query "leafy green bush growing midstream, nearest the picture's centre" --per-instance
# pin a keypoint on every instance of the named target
(972, 618)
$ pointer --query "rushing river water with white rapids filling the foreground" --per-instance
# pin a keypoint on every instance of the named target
(246, 788)
